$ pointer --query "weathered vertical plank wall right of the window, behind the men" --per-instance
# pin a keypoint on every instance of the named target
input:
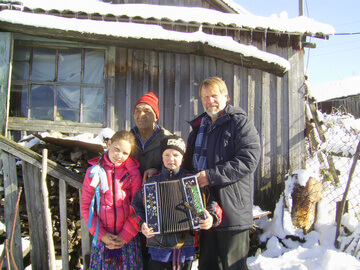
(275, 104)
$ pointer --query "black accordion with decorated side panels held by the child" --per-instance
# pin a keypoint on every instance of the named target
(173, 206)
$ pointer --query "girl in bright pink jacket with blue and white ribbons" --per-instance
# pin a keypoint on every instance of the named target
(108, 189)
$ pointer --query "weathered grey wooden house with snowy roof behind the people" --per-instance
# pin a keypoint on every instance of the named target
(75, 67)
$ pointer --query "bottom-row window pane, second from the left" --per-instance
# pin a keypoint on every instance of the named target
(42, 102)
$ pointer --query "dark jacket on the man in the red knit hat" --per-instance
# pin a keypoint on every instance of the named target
(150, 157)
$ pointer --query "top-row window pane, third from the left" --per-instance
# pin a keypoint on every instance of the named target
(69, 65)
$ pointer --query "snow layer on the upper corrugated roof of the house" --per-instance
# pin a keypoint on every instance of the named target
(300, 25)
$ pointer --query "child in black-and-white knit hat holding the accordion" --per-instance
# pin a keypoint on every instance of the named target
(166, 253)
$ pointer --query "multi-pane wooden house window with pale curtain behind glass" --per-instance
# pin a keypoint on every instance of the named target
(58, 84)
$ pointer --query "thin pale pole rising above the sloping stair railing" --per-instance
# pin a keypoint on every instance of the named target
(48, 222)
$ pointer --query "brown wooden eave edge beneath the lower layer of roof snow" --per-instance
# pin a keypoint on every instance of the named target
(163, 45)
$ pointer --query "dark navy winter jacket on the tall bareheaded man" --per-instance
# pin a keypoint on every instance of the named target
(233, 153)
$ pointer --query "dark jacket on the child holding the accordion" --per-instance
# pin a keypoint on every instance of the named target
(171, 239)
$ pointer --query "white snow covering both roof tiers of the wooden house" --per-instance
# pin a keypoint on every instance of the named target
(39, 15)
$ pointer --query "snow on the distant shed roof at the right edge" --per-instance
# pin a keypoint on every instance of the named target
(336, 89)
